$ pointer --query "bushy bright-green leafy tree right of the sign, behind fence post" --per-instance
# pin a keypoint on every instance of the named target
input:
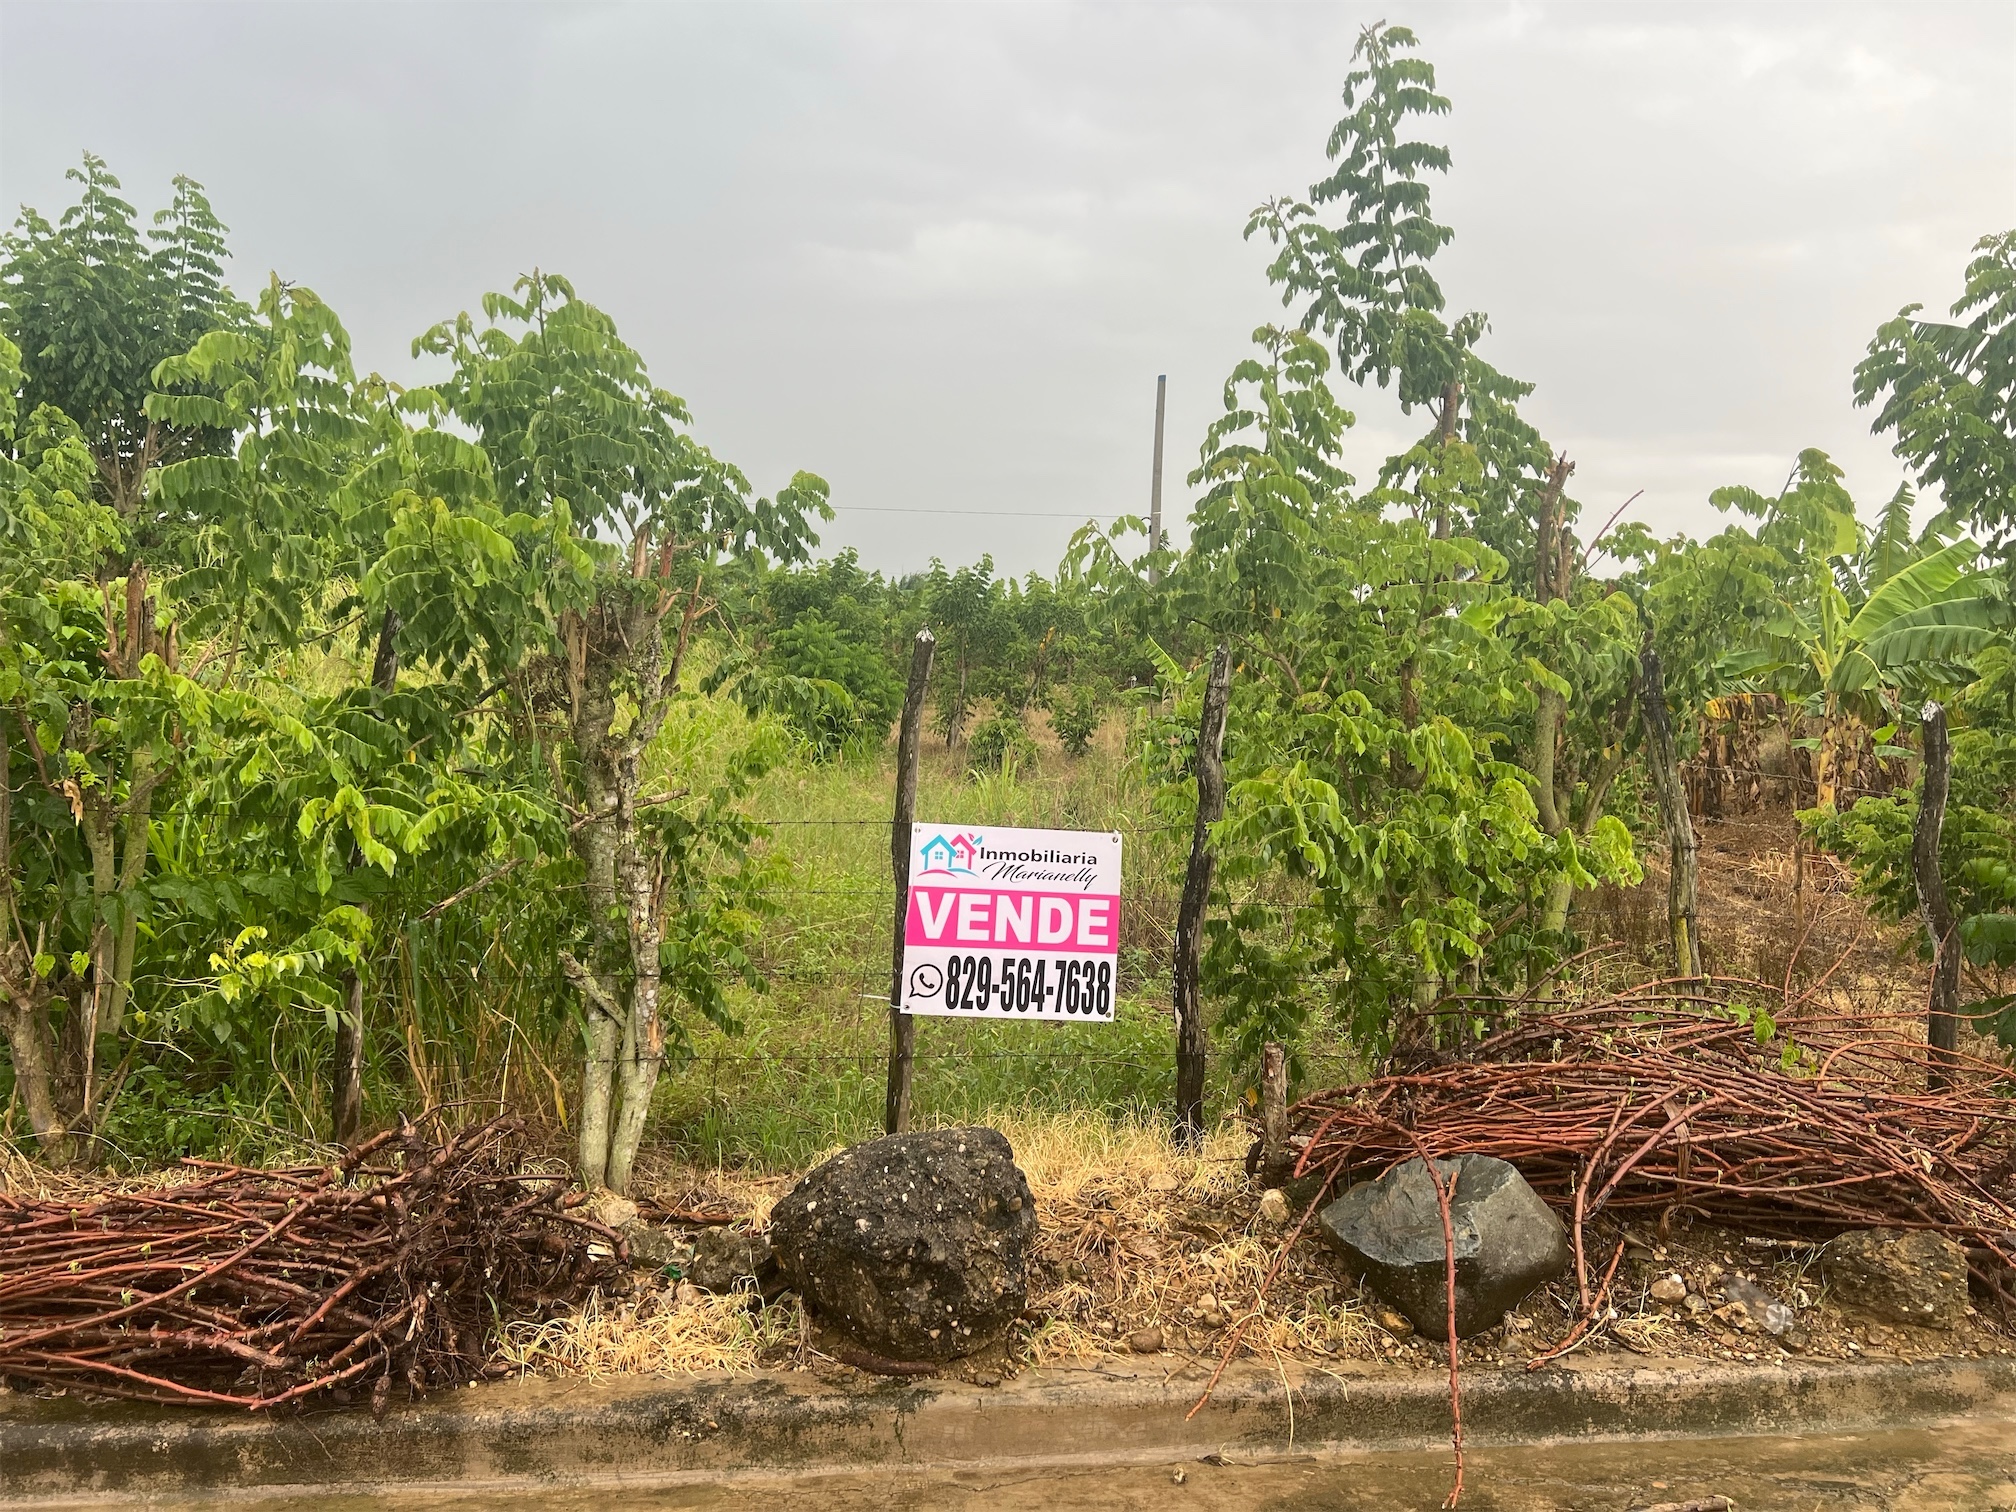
(1378, 848)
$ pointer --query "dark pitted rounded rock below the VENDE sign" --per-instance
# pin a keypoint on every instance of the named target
(916, 1245)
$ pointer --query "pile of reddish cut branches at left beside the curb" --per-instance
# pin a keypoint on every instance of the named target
(255, 1289)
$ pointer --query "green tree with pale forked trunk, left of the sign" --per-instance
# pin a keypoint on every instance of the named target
(580, 436)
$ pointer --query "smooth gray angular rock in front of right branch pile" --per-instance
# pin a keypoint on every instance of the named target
(1507, 1241)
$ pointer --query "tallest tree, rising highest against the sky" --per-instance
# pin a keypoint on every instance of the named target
(1481, 471)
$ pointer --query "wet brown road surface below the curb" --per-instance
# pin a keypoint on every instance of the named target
(1959, 1469)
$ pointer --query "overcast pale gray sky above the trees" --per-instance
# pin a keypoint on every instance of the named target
(938, 253)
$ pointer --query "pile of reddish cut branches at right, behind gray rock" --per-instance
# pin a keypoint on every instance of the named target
(1690, 1100)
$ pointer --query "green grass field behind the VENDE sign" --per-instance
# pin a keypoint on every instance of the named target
(807, 1072)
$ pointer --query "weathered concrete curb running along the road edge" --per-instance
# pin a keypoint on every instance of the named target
(713, 1428)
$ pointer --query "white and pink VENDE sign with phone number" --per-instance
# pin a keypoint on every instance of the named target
(1013, 922)
